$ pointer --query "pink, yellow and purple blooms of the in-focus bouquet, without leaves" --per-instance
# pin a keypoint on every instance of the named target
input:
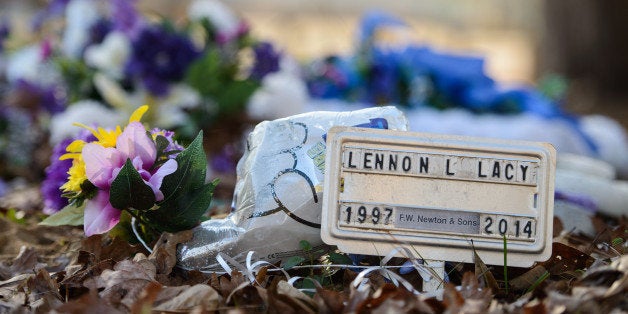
(99, 159)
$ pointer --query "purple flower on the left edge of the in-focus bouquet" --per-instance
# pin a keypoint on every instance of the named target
(56, 175)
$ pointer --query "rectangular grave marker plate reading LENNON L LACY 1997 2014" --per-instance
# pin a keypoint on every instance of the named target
(436, 193)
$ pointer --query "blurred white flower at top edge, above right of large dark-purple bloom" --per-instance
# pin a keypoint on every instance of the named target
(218, 14)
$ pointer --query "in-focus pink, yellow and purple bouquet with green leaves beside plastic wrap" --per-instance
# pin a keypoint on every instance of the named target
(132, 171)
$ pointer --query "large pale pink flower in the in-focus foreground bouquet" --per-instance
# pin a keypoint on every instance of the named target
(102, 165)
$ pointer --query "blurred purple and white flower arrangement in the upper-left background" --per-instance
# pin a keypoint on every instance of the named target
(93, 61)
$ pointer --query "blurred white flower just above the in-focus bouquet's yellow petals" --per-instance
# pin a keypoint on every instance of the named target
(88, 112)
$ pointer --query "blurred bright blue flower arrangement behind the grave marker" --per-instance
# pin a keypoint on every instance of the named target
(388, 68)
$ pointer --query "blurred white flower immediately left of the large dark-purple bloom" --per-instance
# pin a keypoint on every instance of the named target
(110, 56)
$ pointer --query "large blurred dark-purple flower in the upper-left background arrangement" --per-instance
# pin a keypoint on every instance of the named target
(159, 57)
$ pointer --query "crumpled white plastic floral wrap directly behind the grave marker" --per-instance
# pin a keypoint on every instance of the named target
(278, 193)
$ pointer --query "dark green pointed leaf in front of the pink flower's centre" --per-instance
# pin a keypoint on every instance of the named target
(128, 190)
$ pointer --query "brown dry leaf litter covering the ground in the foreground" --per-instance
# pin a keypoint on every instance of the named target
(57, 269)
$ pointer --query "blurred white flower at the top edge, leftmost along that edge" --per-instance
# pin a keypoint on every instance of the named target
(80, 15)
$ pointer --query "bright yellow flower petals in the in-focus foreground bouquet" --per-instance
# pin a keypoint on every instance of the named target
(104, 137)
